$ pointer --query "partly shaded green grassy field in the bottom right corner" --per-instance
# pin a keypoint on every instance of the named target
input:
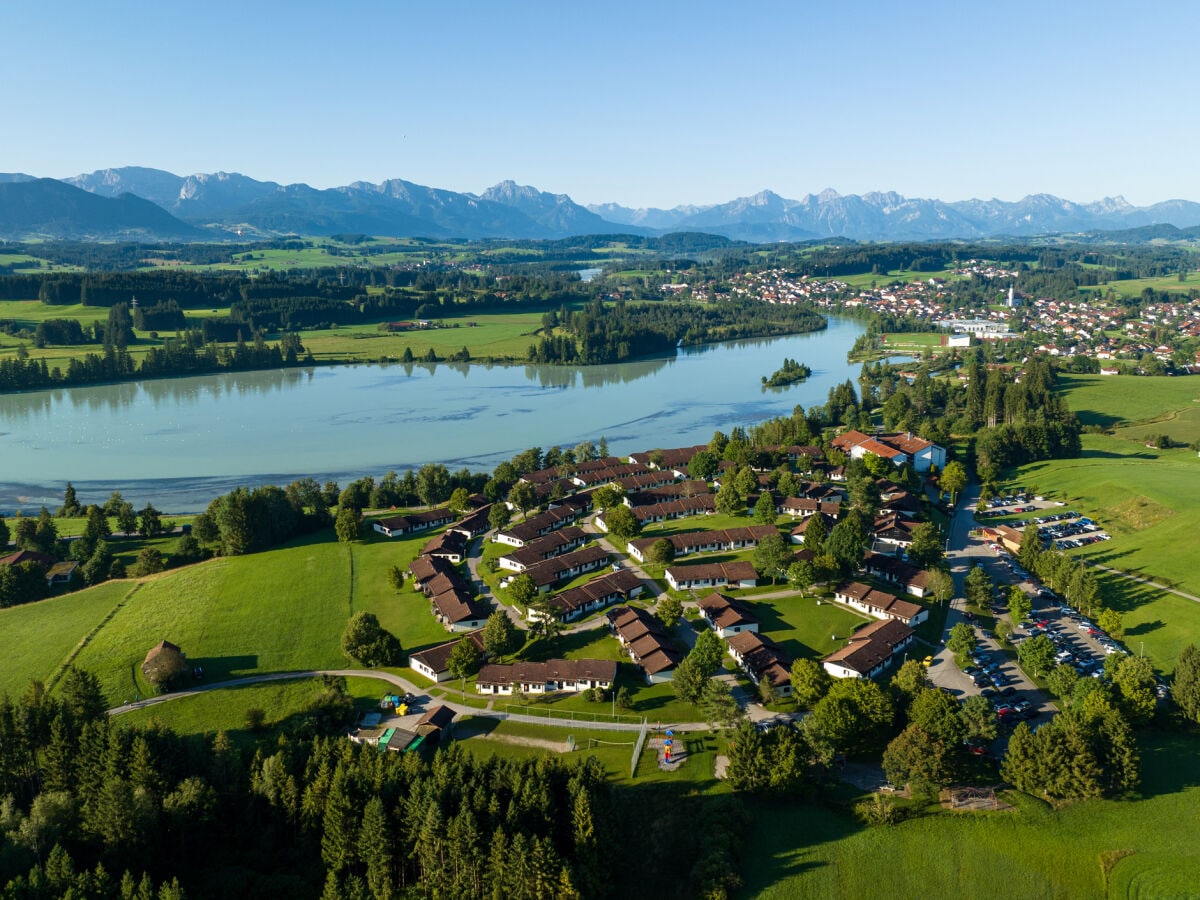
(802, 851)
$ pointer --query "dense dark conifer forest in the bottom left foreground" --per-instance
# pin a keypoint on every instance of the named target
(94, 809)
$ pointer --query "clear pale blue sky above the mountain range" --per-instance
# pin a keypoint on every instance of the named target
(644, 104)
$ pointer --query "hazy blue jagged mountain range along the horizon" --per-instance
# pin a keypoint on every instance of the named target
(137, 203)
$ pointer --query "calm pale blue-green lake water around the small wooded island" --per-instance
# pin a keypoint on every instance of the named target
(181, 442)
